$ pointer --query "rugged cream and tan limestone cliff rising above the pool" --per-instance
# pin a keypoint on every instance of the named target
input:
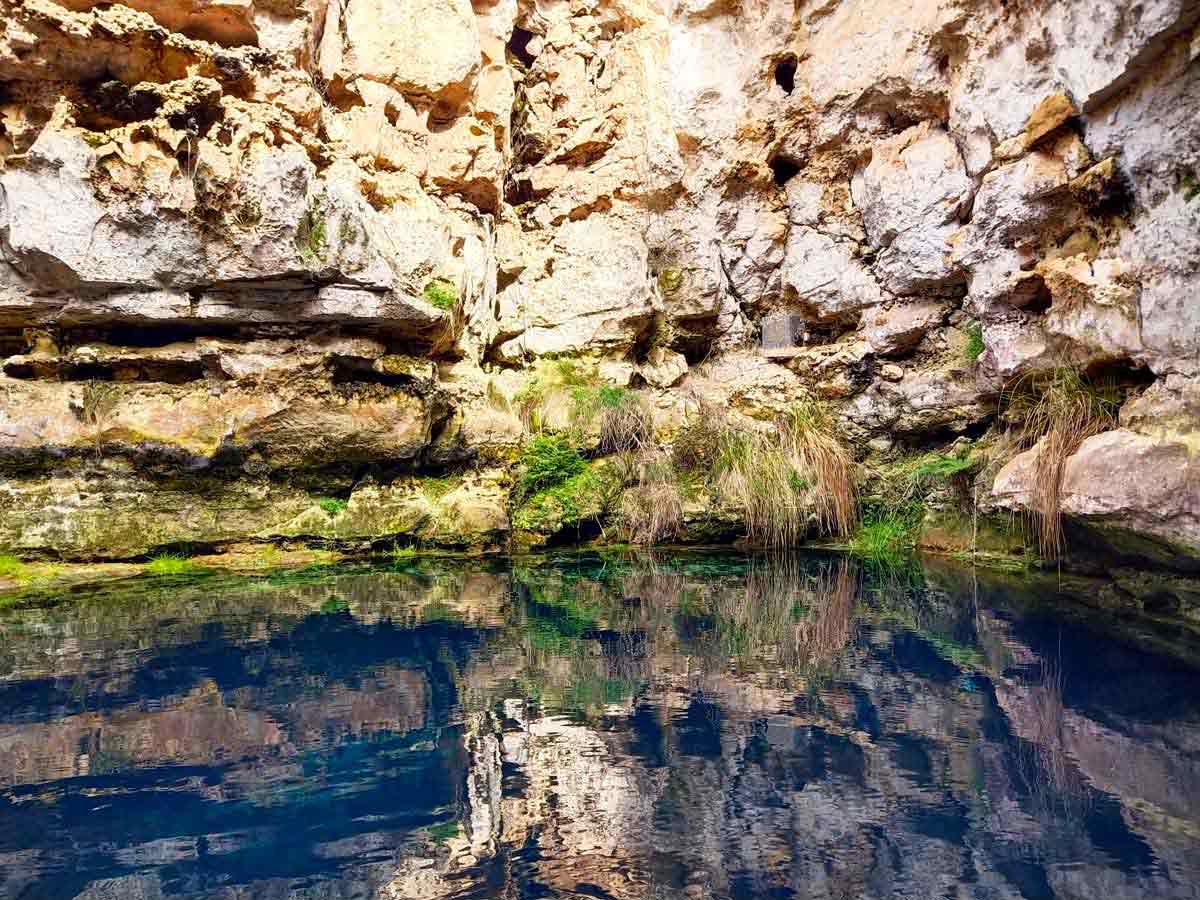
(319, 249)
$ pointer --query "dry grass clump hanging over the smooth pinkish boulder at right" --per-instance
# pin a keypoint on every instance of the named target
(1058, 411)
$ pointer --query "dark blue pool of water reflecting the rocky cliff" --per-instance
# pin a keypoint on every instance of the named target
(683, 727)
